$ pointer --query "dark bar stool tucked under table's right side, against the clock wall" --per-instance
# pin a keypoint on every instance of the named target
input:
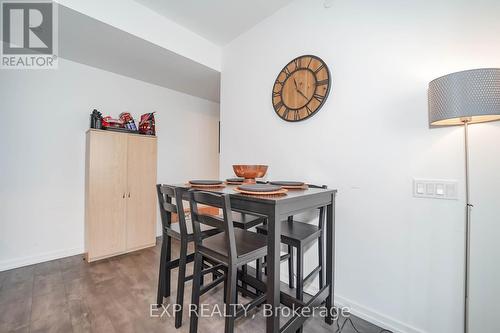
(298, 235)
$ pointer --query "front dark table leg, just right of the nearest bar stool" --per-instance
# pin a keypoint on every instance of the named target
(273, 265)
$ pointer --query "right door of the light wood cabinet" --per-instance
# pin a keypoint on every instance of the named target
(141, 194)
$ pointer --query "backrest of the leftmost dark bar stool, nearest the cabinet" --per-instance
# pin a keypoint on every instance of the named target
(167, 194)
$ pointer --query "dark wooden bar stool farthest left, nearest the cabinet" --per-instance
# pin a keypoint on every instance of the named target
(183, 232)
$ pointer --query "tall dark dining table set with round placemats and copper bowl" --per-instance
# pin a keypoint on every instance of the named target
(277, 208)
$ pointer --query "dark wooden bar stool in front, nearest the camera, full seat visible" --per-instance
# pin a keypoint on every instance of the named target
(233, 248)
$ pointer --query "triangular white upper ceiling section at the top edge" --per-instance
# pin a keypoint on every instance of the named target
(219, 21)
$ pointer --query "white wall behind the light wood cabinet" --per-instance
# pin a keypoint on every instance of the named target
(45, 114)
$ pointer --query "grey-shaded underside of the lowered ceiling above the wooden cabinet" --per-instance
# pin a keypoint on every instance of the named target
(91, 42)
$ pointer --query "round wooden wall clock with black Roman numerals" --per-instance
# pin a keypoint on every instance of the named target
(301, 88)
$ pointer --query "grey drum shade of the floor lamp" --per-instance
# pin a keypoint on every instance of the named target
(472, 96)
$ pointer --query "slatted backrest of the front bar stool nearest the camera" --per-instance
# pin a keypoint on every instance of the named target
(216, 200)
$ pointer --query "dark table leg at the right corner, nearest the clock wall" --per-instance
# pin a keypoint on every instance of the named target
(330, 260)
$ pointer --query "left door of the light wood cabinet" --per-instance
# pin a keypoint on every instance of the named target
(106, 188)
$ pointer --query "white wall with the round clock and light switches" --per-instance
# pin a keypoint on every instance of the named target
(399, 259)
